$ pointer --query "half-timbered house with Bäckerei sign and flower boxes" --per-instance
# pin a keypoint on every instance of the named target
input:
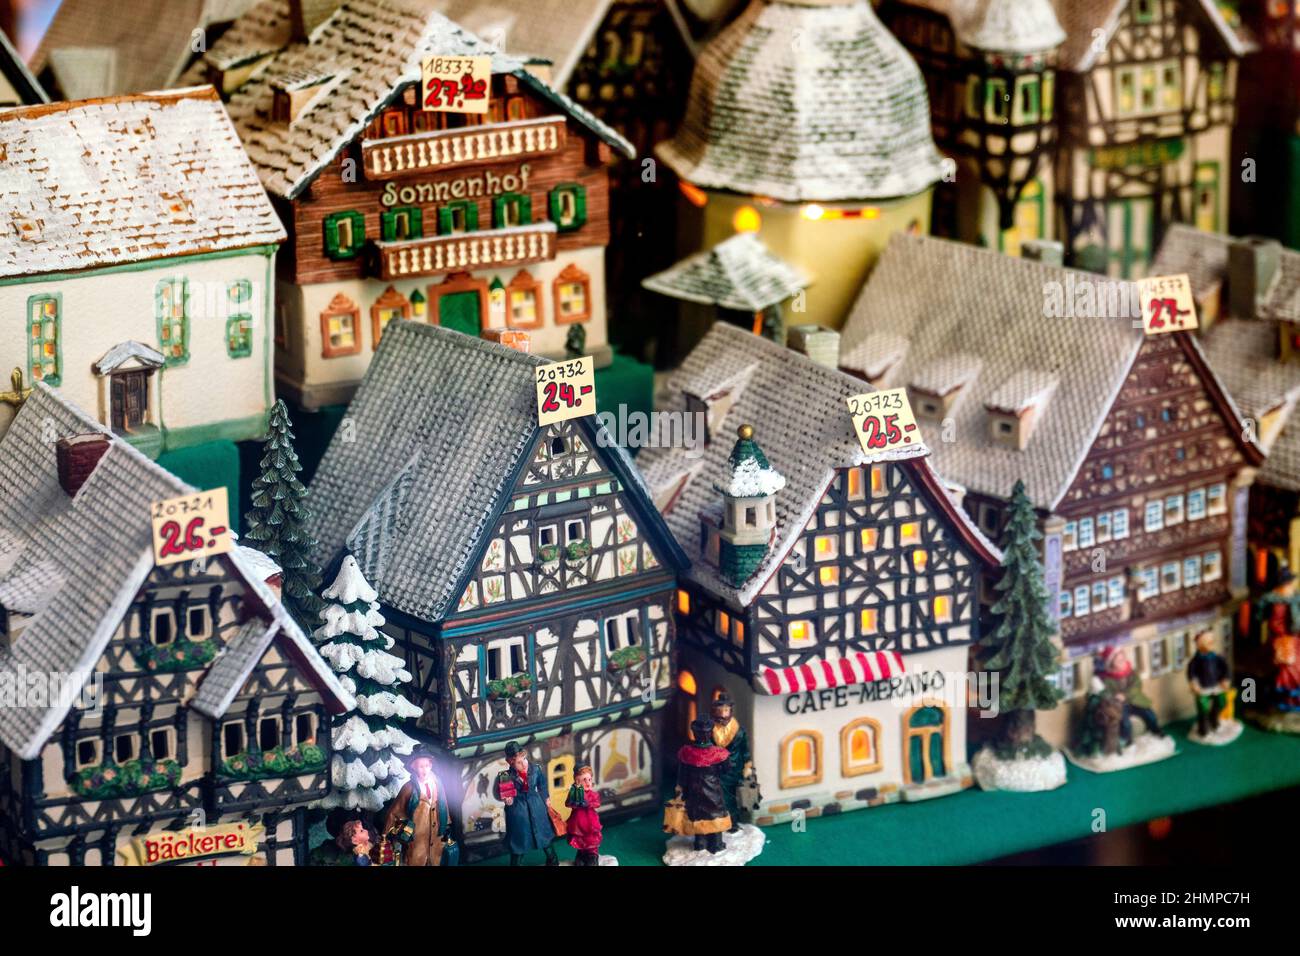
(183, 717)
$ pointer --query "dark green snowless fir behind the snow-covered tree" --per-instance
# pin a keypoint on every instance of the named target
(279, 514)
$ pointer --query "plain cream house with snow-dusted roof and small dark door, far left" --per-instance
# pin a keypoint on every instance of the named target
(141, 259)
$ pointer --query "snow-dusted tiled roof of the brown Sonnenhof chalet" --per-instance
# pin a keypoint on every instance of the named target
(371, 47)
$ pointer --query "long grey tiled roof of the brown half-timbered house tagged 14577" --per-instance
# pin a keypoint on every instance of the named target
(993, 306)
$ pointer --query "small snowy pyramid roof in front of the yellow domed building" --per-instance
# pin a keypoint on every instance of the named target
(740, 274)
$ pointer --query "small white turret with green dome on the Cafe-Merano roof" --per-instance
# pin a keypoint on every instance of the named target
(749, 509)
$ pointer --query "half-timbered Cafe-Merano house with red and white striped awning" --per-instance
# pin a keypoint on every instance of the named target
(831, 595)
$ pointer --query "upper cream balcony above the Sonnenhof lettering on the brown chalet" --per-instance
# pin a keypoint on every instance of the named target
(467, 146)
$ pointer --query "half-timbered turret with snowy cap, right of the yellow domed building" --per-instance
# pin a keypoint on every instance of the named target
(990, 67)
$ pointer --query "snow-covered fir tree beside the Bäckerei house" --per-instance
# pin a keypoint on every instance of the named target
(366, 771)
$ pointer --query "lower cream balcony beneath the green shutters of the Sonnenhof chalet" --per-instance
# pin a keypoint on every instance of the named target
(486, 249)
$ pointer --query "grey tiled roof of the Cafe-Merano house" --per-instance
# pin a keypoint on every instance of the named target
(801, 421)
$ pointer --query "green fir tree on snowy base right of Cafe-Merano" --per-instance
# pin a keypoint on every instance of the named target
(1021, 650)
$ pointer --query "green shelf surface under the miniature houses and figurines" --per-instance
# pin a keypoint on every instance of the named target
(976, 827)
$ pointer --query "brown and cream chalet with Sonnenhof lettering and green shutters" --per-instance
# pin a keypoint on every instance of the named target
(493, 222)
